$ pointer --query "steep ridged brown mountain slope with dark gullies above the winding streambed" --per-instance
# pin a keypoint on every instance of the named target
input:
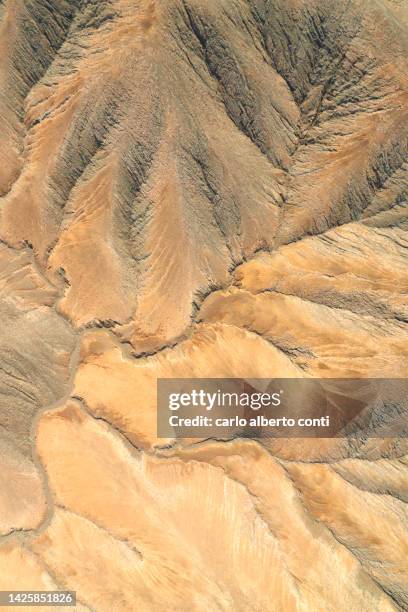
(166, 142)
